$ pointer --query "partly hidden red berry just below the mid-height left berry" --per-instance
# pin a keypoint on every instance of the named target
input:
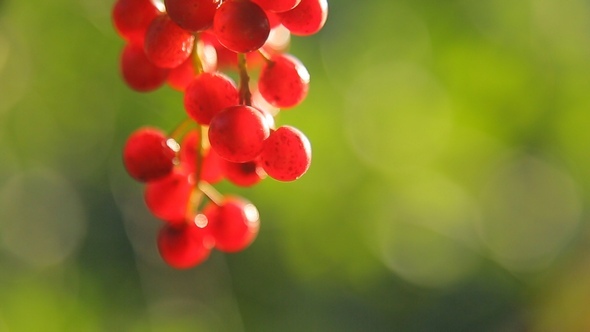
(169, 197)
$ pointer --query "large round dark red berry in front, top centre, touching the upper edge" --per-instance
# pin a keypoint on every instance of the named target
(241, 25)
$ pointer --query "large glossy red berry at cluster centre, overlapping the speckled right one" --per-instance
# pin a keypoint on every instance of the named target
(238, 133)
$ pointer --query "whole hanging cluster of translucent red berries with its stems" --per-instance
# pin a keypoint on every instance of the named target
(229, 131)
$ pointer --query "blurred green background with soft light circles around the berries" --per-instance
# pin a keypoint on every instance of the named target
(448, 189)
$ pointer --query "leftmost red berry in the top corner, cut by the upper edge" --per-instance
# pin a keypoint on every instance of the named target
(131, 18)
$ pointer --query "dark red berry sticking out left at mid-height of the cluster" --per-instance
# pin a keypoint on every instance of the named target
(149, 155)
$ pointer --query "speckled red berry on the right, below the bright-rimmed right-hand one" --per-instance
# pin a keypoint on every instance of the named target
(286, 155)
